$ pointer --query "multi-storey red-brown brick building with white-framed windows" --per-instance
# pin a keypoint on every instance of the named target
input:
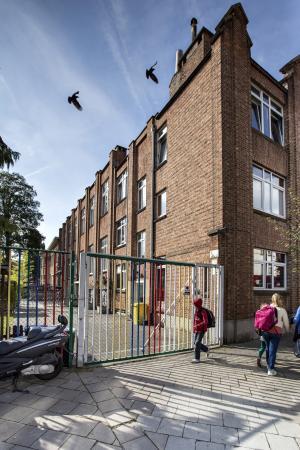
(206, 174)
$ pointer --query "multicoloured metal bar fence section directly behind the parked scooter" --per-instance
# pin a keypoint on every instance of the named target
(34, 288)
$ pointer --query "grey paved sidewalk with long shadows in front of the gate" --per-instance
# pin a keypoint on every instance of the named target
(164, 403)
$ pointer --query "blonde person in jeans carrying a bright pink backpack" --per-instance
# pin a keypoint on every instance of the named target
(272, 320)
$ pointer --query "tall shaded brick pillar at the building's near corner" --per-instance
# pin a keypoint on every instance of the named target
(237, 174)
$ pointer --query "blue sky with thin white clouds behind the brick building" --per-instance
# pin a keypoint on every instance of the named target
(52, 48)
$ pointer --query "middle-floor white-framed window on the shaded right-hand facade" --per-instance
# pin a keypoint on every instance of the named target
(268, 192)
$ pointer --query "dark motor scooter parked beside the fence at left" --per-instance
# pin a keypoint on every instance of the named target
(38, 353)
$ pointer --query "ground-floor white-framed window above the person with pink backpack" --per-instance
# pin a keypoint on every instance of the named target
(269, 269)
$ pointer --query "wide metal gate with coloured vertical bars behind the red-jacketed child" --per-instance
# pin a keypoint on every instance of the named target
(130, 307)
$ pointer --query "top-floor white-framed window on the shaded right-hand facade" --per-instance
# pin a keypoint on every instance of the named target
(267, 115)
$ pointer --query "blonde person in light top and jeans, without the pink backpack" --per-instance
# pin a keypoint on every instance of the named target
(273, 335)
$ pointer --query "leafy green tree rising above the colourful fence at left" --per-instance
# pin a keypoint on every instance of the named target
(19, 212)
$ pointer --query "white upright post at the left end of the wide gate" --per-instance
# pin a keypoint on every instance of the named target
(81, 309)
